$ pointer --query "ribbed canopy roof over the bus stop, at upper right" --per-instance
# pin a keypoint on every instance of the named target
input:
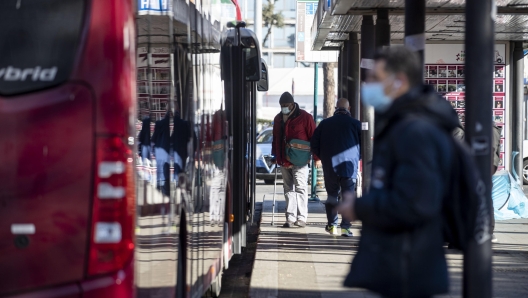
(445, 20)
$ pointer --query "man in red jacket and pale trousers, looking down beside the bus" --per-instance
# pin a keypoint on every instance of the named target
(293, 123)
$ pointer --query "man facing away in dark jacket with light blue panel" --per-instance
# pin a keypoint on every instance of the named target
(337, 142)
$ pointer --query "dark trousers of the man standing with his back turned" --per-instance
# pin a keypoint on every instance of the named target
(336, 185)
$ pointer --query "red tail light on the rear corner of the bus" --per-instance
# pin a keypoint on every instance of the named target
(112, 237)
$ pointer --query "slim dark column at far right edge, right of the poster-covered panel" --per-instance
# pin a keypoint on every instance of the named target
(517, 100)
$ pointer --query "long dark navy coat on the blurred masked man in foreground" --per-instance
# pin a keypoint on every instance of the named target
(401, 248)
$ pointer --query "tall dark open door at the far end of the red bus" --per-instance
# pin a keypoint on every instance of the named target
(241, 70)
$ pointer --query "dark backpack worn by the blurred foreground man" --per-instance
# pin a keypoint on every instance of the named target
(465, 209)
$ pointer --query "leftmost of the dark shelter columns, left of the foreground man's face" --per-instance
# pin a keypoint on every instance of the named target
(353, 80)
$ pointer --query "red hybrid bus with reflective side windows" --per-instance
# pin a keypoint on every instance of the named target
(81, 214)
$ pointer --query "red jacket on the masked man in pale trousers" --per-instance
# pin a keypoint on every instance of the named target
(300, 125)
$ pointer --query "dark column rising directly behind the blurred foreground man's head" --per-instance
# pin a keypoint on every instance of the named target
(415, 27)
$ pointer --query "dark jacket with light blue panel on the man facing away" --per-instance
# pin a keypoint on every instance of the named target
(337, 143)
